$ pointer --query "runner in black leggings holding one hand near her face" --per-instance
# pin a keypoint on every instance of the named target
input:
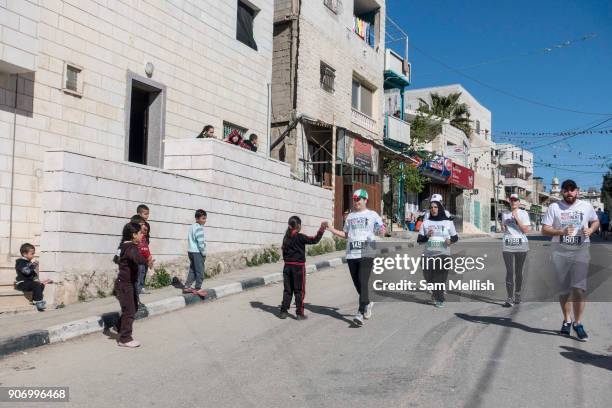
(515, 246)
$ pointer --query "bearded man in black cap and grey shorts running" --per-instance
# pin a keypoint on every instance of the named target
(567, 221)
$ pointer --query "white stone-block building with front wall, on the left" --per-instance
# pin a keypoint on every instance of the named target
(106, 87)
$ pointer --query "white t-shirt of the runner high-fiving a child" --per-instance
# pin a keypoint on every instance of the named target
(361, 229)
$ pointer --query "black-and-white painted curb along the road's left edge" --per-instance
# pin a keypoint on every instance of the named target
(77, 328)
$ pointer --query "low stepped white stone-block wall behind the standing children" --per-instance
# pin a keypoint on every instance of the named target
(87, 200)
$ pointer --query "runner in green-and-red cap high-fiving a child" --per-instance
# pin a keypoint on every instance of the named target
(360, 228)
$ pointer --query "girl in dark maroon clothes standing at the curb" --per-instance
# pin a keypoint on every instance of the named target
(129, 260)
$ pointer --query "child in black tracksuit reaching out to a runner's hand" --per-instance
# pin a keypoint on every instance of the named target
(294, 272)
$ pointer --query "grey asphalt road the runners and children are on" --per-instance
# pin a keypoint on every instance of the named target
(235, 353)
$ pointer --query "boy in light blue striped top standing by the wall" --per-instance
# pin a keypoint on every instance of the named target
(196, 254)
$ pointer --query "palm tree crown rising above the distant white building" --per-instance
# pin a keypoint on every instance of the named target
(448, 107)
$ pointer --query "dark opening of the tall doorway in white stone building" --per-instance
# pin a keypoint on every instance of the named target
(139, 120)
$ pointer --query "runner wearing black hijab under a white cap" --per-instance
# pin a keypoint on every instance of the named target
(438, 233)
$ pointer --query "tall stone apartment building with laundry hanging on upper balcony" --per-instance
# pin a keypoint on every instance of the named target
(327, 83)
